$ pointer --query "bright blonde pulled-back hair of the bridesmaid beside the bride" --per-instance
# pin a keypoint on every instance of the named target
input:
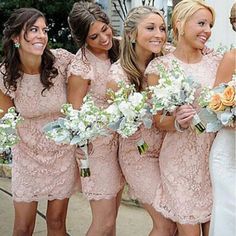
(184, 10)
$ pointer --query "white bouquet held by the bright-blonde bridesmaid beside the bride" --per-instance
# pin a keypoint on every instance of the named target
(174, 89)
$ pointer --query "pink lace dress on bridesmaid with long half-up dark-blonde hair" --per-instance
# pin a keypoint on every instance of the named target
(141, 172)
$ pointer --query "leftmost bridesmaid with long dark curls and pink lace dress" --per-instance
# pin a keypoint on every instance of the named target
(33, 79)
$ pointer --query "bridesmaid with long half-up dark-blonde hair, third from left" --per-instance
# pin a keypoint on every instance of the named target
(144, 36)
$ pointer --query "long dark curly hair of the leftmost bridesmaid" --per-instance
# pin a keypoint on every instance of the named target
(23, 19)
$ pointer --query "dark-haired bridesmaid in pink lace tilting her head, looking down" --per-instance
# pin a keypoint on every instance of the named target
(89, 73)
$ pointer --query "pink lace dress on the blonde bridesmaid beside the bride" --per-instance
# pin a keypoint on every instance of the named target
(187, 194)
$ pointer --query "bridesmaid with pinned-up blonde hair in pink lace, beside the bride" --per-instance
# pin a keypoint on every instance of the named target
(187, 192)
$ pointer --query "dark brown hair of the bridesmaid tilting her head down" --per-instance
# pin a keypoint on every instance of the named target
(82, 15)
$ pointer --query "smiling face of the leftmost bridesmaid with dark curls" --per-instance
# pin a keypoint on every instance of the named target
(36, 39)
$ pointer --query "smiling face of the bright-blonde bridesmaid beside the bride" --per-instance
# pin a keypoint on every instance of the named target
(197, 29)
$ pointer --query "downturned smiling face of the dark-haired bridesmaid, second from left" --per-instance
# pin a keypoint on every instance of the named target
(99, 37)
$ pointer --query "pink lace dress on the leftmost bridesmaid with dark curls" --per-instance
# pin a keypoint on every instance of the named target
(41, 168)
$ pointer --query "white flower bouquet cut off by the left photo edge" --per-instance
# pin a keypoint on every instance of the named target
(8, 133)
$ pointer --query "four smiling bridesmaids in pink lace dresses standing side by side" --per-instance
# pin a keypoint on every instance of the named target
(171, 180)
